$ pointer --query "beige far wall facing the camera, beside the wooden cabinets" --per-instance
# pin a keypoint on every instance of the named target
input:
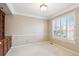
(25, 29)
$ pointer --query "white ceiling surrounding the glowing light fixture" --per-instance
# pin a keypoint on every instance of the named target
(33, 9)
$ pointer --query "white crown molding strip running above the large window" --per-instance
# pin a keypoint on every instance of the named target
(65, 10)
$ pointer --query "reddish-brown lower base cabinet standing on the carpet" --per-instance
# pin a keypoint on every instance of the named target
(5, 45)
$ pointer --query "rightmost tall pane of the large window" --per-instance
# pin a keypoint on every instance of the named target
(71, 27)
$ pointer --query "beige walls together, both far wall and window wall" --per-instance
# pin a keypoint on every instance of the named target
(27, 29)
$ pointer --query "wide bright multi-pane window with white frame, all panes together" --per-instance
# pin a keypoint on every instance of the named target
(64, 27)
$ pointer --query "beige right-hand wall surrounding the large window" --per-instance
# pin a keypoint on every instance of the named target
(72, 46)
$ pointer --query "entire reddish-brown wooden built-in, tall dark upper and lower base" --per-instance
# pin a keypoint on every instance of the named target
(5, 41)
